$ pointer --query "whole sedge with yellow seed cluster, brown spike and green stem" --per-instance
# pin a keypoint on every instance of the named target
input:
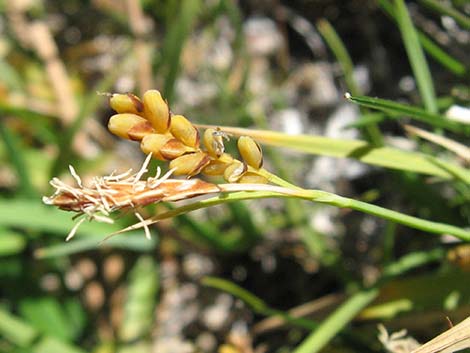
(190, 154)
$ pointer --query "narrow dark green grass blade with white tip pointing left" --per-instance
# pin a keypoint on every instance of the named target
(397, 110)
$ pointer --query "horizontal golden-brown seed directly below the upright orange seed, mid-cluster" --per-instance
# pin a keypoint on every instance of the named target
(163, 147)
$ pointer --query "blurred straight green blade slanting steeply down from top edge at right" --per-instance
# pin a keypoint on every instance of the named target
(416, 57)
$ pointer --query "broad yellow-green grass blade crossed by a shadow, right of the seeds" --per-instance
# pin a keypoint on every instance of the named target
(356, 149)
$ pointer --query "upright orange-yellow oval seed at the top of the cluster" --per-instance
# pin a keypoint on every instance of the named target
(156, 110)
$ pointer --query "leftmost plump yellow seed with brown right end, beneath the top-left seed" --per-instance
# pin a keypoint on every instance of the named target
(129, 126)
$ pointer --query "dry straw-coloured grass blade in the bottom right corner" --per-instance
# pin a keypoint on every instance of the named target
(452, 340)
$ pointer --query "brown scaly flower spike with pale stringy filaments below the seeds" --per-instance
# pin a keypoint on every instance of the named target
(122, 192)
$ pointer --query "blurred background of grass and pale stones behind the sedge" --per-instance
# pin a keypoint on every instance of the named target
(270, 64)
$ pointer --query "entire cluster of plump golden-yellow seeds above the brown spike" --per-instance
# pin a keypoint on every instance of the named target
(174, 138)
